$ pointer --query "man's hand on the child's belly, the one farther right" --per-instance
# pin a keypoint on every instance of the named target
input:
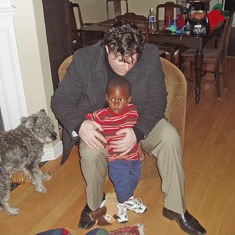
(125, 145)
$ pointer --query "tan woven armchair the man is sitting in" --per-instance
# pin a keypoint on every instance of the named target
(175, 110)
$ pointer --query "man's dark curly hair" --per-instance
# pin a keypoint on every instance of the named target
(123, 39)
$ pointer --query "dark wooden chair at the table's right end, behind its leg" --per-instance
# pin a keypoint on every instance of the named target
(213, 56)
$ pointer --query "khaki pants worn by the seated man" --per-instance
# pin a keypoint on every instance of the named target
(164, 143)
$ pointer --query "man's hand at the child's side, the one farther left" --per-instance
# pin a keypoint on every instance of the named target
(89, 134)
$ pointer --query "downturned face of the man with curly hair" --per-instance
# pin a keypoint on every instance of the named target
(118, 66)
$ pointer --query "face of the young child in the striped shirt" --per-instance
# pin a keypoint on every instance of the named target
(118, 98)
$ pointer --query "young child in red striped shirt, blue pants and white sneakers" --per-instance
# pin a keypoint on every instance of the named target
(124, 171)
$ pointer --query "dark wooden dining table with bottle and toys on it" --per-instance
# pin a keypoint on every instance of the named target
(191, 41)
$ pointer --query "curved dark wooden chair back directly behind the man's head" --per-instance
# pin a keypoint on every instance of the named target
(140, 20)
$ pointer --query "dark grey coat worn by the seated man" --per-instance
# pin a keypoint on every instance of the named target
(82, 90)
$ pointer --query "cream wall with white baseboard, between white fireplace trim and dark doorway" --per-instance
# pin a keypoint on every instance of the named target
(34, 63)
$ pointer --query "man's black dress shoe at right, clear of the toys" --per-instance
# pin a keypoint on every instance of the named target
(186, 222)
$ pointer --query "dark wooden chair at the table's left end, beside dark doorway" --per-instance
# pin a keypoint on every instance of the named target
(80, 39)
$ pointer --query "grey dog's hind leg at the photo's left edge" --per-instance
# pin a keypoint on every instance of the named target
(5, 184)
